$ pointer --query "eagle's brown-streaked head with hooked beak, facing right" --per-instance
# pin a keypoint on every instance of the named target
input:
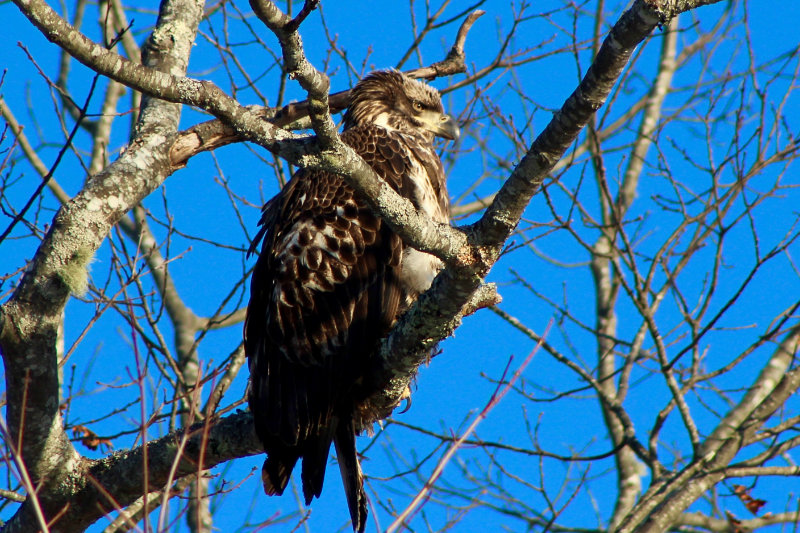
(393, 100)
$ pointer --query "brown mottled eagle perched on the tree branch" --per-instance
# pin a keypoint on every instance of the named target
(331, 280)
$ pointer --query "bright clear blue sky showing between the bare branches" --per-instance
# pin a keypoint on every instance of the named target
(459, 382)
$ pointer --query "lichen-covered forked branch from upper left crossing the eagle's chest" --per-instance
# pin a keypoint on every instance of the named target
(417, 229)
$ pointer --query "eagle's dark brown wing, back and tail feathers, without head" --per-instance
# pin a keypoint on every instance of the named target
(325, 289)
